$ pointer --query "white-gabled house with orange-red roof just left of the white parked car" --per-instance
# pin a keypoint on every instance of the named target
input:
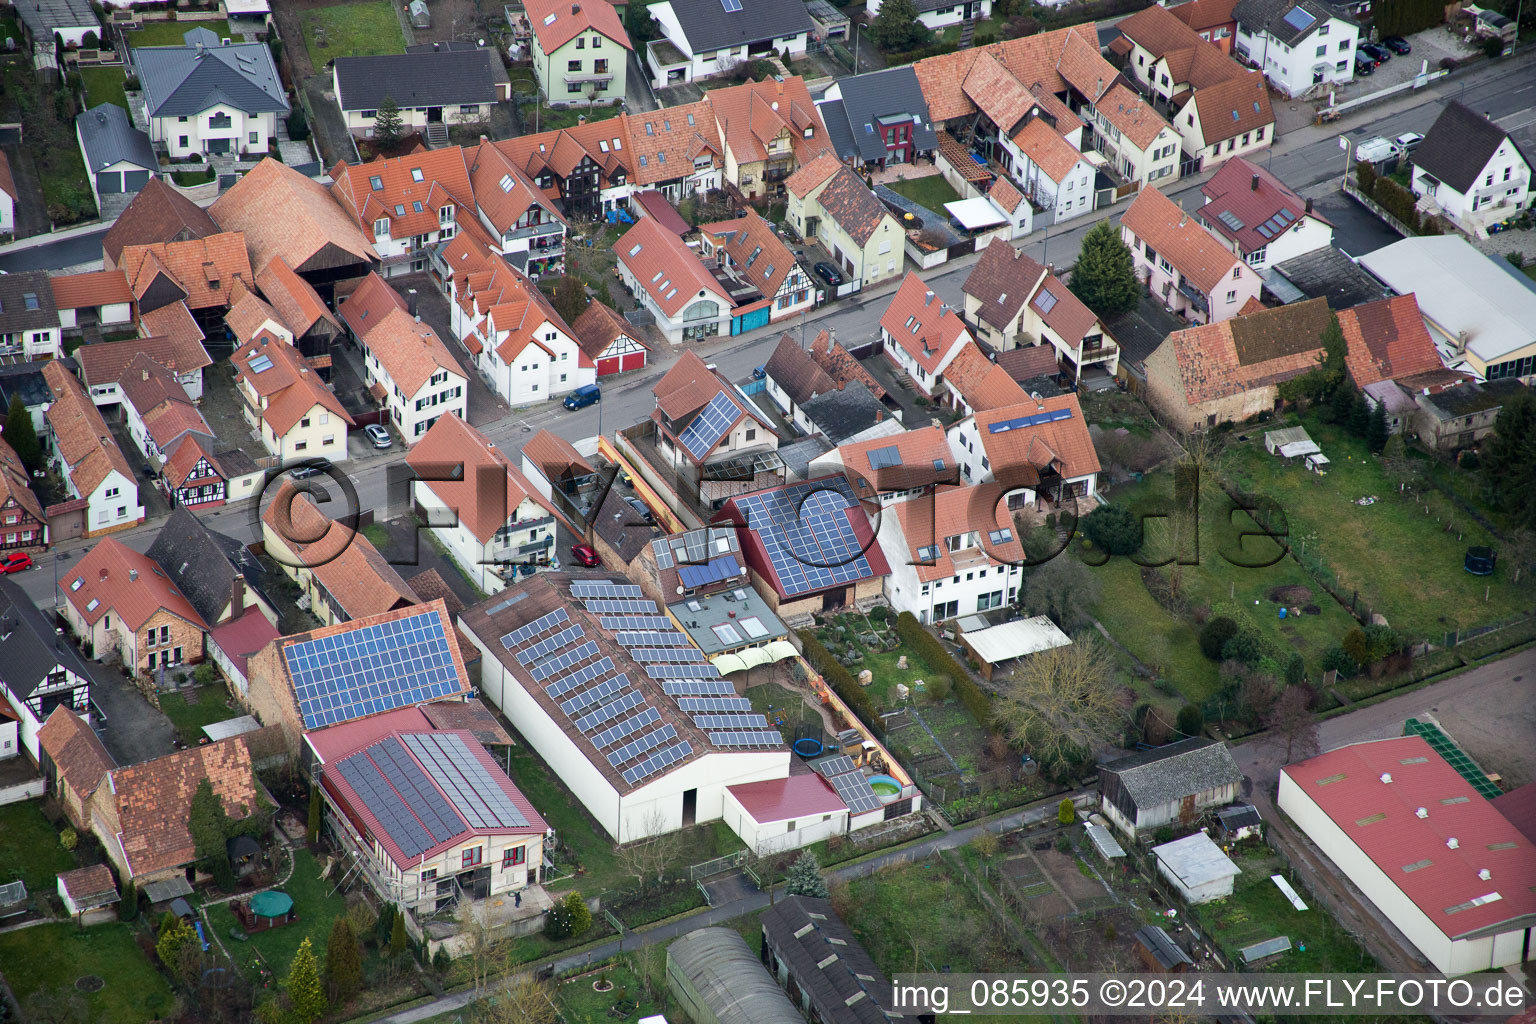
(288, 405)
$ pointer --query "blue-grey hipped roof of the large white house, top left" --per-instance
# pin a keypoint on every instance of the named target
(187, 81)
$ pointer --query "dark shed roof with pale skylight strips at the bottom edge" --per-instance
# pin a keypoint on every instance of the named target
(850, 971)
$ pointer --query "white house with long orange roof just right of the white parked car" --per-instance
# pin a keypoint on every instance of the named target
(406, 366)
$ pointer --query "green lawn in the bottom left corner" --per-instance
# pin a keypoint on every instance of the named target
(53, 957)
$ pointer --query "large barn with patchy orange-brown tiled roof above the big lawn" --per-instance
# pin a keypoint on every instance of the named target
(1230, 371)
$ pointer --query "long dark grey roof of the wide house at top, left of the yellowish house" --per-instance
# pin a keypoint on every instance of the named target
(422, 79)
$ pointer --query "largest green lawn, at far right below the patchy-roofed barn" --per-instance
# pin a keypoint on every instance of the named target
(1403, 563)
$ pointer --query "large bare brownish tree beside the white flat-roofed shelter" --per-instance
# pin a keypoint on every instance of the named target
(1064, 701)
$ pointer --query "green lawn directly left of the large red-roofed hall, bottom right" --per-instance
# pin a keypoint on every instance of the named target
(1259, 911)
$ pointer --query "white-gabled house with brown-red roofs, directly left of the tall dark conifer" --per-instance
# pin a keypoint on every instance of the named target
(1018, 303)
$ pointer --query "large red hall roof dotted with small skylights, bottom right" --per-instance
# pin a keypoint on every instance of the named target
(1383, 822)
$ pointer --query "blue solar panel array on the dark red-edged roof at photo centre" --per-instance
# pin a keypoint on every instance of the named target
(807, 535)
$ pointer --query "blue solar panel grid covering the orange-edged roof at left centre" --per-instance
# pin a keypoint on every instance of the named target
(372, 669)
